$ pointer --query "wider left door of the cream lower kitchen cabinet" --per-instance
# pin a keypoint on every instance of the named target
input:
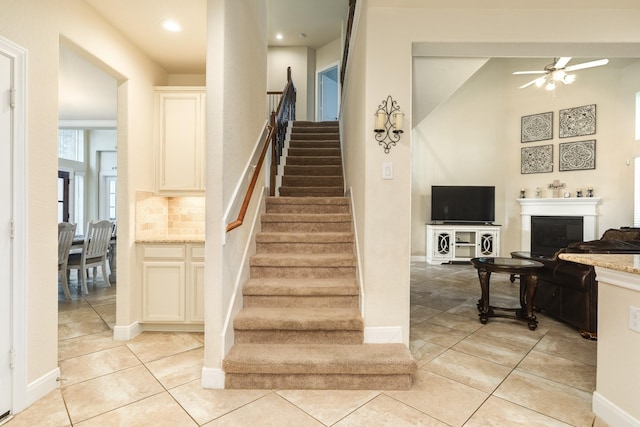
(163, 291)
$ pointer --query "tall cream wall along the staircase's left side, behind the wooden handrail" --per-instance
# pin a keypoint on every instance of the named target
(236, 76)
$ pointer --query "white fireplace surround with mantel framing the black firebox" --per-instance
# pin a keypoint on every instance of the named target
(586, 207)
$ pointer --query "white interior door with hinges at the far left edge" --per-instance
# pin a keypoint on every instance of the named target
(6, 390)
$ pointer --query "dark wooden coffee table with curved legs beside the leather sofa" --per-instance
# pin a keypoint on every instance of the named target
(527, 270)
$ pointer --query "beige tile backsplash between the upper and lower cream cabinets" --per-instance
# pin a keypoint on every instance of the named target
(158, 216)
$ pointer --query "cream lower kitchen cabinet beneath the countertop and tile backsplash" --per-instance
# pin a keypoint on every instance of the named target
(172, 285)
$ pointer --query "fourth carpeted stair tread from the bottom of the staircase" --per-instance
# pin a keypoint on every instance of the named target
(303, 260)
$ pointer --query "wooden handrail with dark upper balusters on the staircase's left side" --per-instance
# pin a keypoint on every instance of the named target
(270, 140)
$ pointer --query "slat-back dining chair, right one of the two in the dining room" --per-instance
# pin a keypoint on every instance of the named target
(94, 253)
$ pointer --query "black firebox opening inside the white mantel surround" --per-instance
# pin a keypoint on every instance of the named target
(550, 233)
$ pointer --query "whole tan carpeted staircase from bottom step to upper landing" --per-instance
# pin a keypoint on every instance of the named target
(300, 327)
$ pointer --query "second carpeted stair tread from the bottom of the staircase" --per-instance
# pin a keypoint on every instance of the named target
(298, 319)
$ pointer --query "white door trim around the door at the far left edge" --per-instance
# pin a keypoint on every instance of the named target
(19, 271)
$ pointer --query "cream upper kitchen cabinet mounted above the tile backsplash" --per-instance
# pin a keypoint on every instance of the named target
(180, 139)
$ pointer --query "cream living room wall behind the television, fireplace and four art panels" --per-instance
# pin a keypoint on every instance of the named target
(474, 139)
